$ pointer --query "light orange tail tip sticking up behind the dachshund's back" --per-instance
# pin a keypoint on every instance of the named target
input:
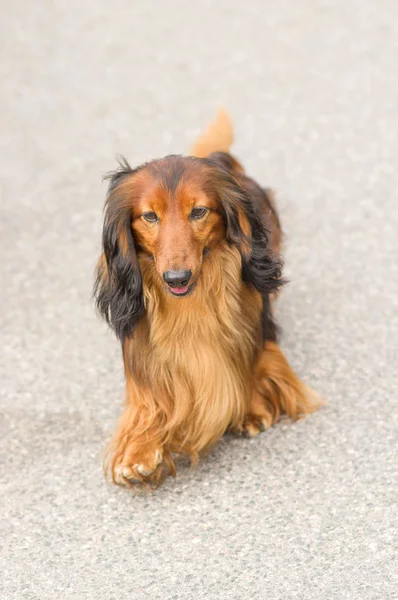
(218, 136)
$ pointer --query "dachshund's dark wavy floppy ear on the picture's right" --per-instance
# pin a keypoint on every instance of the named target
(246, 230)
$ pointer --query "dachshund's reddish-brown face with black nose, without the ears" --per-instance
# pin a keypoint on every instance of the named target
(176, 220)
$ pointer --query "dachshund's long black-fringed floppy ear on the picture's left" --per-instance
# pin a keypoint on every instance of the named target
(118, 283)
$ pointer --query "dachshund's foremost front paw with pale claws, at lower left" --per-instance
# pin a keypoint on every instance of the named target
(138, 466)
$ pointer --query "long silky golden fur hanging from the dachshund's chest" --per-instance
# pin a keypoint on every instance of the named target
(201, 350)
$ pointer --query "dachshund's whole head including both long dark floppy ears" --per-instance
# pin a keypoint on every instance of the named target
(175, 211)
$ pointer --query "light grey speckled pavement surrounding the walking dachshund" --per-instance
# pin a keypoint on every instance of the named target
(307, 510)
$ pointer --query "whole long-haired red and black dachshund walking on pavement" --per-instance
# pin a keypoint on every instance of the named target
(187, 276)
